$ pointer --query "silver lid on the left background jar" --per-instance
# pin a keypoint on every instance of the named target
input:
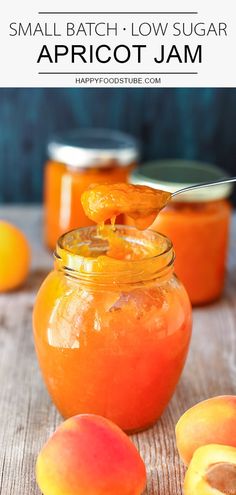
(88, 148)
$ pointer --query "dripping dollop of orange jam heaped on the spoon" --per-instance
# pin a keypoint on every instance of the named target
(103, 202)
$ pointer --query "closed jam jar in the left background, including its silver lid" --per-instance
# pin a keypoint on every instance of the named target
(76, 160)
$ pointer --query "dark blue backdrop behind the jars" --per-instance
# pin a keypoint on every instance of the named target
(177, 123)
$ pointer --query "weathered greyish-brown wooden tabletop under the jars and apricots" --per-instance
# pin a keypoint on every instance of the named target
(27, 416)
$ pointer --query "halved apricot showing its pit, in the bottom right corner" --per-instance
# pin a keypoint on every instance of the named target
(212, 471)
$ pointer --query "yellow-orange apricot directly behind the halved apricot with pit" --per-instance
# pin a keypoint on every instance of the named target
(210, 421)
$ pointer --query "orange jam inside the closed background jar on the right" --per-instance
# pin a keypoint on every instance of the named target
(199, 232)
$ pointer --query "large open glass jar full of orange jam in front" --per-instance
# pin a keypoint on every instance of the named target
(112, 335)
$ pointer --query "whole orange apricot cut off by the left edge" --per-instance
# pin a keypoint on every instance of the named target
(14, 257)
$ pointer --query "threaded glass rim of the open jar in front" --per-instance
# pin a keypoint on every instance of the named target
(105, 269)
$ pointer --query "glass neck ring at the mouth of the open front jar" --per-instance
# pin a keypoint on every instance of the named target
(98, 268)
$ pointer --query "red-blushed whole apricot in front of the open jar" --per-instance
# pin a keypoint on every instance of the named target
(90, 455)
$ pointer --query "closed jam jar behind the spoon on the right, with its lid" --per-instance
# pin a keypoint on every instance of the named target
(197, 223)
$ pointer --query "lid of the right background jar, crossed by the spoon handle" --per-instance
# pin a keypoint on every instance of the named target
(172, 175)
